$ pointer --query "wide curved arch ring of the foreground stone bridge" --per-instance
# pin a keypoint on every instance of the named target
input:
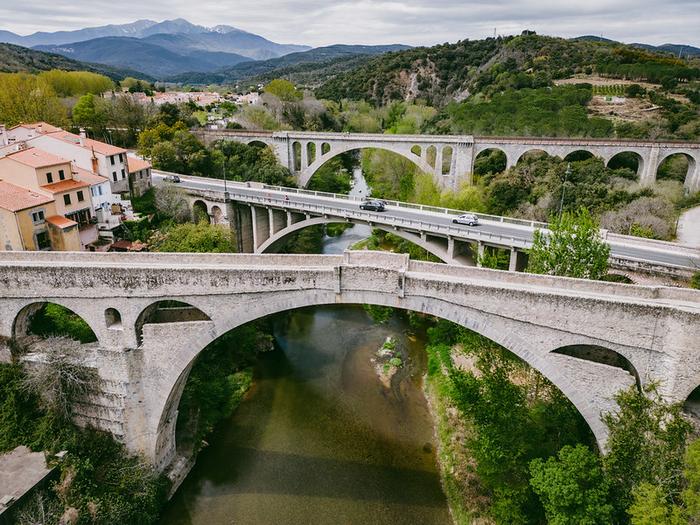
(506, 332)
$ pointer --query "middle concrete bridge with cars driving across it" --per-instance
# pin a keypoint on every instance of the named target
(264, 216)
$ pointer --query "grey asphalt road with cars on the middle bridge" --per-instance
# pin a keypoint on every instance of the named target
(635, 249)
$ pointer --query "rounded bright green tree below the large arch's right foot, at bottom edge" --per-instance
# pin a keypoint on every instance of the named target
(572, 487)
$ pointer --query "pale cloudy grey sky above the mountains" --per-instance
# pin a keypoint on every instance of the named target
(413, 22)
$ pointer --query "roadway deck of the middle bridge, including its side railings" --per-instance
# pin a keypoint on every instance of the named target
(496, 231)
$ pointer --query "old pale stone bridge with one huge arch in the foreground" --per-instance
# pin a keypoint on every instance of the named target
(590, 339)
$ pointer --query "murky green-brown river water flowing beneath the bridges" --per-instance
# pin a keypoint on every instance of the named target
(319, 439)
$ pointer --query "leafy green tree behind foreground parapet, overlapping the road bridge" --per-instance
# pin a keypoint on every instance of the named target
(572, 247)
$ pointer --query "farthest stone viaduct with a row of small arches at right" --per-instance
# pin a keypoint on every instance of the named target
(450, 158)
